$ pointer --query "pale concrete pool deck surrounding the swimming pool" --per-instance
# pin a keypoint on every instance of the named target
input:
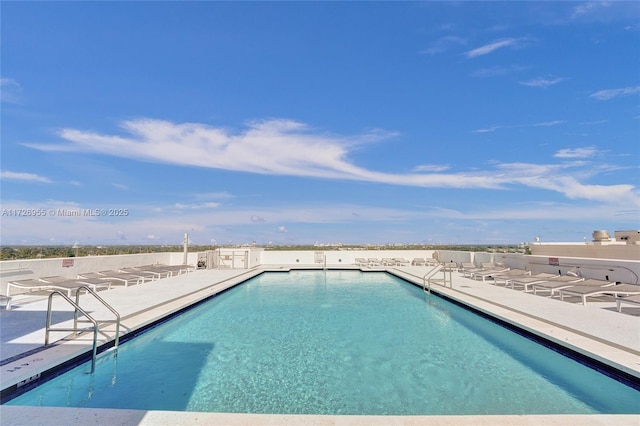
(596, 330)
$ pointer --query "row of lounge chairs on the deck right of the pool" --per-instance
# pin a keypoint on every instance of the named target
(564, 285)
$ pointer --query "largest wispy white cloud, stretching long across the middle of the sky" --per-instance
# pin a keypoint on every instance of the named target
(282, 147)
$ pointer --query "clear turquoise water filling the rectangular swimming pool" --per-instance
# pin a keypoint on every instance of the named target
(335, 342)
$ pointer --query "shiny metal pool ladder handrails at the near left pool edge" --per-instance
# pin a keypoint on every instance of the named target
(75, 329)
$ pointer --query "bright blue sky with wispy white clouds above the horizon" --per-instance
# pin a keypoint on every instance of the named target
(305, 122)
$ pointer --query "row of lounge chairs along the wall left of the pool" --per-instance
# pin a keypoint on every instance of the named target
(97, 280)
